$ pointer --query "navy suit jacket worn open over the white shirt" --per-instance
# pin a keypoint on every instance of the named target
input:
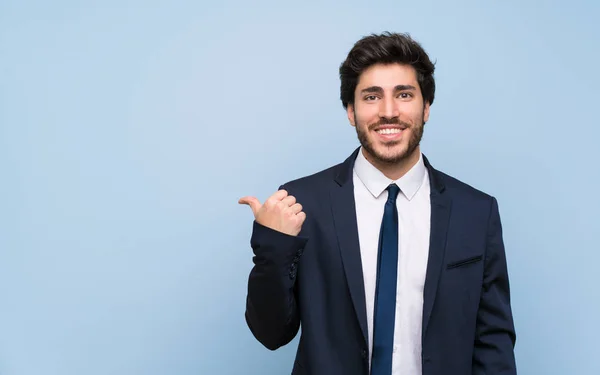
(314, 281)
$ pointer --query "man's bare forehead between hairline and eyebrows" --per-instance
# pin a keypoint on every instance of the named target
(387, 76)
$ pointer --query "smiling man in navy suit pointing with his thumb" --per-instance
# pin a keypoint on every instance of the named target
(389, 266)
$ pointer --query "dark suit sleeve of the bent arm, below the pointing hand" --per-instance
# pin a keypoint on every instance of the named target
(271, 306)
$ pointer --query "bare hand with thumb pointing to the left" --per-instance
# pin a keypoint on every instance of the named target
(280, 212)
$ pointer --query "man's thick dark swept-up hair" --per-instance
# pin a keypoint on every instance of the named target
(386, 48)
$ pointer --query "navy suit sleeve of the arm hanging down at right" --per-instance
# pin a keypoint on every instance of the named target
(495, 333)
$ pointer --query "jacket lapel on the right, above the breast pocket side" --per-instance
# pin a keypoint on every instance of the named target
(440, 216)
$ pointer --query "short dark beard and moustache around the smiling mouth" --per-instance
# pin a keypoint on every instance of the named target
(390, 157)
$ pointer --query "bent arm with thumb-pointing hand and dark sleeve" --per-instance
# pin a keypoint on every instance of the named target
(271, 308)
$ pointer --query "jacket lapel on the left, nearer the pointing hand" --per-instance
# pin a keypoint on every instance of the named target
(346, 229)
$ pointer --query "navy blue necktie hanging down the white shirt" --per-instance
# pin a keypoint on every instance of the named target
(385, 294)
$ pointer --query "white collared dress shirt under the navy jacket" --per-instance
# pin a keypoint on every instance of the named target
(414, 212)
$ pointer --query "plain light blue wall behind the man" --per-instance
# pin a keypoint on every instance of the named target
(128, 131)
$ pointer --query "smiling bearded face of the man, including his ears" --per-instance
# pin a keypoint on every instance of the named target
(388, 112)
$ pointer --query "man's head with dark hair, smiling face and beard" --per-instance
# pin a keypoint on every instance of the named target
(387, 87)
